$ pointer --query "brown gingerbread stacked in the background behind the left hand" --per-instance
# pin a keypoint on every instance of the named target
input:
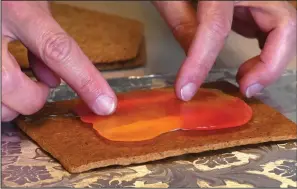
(115, 43)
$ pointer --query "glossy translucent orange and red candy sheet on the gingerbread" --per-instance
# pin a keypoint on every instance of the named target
(144, 115)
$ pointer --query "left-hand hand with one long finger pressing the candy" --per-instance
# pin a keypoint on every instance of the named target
(53, 55)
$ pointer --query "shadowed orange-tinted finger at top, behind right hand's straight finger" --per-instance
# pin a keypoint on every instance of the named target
(181, 18)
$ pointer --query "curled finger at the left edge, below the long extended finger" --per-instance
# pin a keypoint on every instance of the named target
(19, 92)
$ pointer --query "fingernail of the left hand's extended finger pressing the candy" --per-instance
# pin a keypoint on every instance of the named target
(104, 105)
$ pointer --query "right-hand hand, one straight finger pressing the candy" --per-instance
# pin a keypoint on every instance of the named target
(202, 36)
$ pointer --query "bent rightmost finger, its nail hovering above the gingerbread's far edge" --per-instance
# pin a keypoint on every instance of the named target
(279, 48)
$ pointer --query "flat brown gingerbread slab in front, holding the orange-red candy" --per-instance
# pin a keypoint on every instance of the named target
(78, 148)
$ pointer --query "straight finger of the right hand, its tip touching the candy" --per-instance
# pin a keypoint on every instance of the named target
(214, 20)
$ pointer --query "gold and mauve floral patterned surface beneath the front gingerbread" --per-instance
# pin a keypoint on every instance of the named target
(24, 164)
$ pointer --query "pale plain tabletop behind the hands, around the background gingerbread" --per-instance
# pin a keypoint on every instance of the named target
(164, 54)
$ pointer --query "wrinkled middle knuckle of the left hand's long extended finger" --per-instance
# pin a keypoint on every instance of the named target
(55, 48)
